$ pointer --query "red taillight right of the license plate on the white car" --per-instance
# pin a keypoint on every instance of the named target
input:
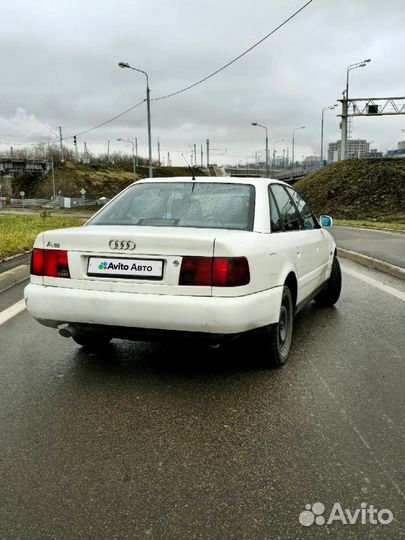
(214, 271)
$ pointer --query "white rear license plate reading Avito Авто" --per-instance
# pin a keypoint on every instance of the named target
(127, 268)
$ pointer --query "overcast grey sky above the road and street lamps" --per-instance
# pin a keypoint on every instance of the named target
(59, 66)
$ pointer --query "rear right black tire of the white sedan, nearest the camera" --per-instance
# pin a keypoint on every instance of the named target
(278, 336)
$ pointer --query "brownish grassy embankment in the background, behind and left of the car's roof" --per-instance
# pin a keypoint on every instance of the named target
(99, 180)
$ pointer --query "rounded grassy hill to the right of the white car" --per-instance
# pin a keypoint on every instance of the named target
(370, 188)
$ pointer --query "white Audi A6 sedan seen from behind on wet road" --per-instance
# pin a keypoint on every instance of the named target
(204, 259)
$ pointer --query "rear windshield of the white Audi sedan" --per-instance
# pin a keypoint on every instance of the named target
(182, 204)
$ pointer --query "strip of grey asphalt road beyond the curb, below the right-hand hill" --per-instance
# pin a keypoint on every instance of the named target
(384, 245)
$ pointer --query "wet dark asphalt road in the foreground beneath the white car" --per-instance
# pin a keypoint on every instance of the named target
(163, 442)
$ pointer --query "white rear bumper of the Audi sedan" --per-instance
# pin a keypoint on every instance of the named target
(217, 315)
